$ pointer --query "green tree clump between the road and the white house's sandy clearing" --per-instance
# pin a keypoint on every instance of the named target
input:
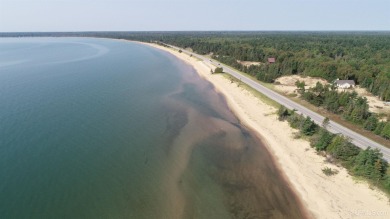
(348, 104)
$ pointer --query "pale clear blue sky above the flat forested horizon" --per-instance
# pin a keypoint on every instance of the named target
(140, 15)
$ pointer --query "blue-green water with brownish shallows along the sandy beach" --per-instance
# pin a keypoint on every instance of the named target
(95, 128)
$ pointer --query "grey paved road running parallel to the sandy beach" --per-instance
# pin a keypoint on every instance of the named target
(333, 127)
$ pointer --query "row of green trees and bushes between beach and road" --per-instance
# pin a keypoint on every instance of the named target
(368, 164)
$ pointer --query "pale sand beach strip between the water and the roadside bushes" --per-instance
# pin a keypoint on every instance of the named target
(337, 196)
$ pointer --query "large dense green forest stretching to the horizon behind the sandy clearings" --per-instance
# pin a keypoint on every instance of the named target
(360, 56)
